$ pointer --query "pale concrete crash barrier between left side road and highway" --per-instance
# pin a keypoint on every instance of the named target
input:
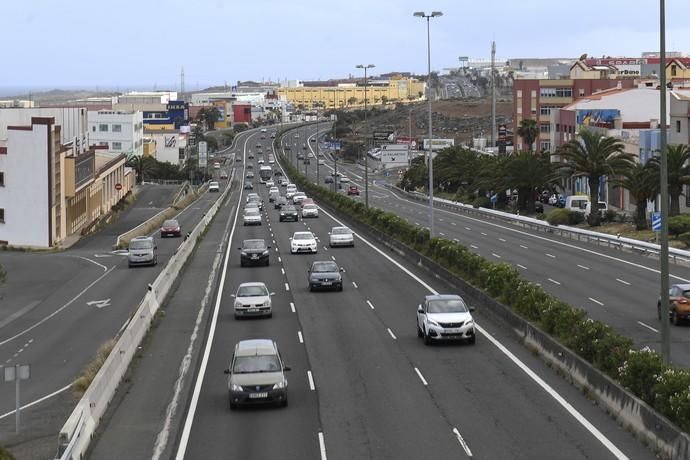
(77, 432)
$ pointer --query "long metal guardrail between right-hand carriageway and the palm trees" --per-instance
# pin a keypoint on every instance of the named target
(677, 256)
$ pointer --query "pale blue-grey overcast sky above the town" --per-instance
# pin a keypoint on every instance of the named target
(144, 43)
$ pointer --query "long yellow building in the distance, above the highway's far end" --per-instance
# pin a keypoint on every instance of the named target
(352, 95)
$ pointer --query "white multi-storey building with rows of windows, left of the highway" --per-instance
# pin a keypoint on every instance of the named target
(122, 132)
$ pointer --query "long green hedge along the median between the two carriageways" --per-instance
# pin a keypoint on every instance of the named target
(666, 388)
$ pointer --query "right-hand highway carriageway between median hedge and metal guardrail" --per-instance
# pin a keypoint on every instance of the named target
(618, 288)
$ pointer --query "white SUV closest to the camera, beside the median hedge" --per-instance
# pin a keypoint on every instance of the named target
(445, 317)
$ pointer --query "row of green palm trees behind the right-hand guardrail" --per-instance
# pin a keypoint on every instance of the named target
(591, 156)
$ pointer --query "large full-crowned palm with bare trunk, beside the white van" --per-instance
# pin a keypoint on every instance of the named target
(593, 155)
